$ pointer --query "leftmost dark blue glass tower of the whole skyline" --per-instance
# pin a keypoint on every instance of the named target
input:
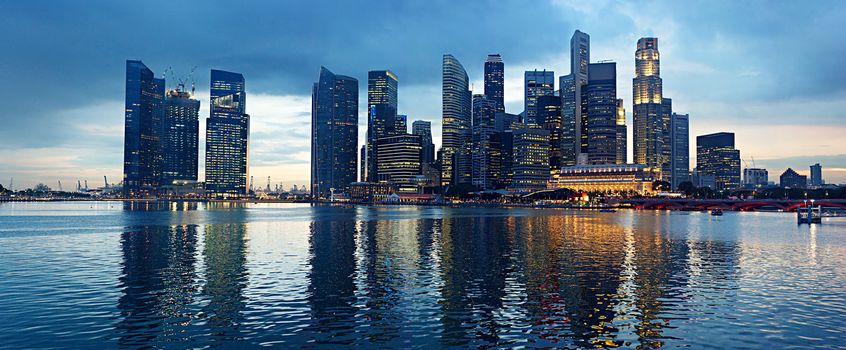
(141, 148)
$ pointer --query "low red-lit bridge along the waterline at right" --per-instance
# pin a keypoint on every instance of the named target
(724, 204)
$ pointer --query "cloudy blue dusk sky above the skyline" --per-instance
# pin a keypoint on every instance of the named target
(770, 71)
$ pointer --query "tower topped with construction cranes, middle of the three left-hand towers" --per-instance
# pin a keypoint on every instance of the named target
(180, 136)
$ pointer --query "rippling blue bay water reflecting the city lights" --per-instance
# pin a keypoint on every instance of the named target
(107, 275)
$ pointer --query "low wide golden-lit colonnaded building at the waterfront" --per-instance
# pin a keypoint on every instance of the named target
(612, 178)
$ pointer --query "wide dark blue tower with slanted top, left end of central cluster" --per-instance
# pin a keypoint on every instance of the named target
(334, 133)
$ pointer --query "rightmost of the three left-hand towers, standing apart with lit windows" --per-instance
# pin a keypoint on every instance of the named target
(227, 136)
